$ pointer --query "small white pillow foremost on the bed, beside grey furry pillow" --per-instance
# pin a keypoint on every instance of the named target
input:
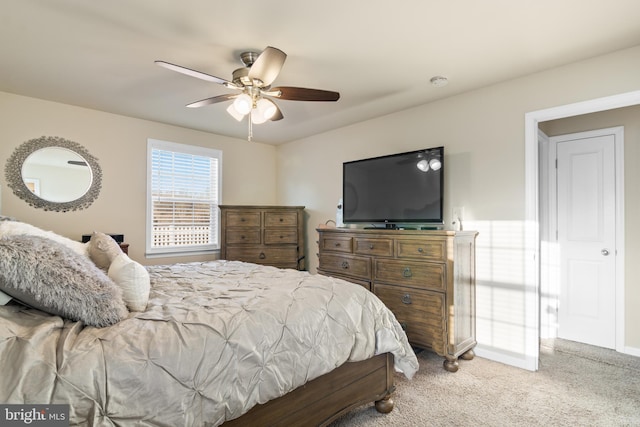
(134, 281)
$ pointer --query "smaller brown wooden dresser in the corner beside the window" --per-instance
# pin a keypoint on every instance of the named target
(270, 235)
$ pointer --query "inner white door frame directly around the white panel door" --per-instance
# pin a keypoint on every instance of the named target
(548, 226)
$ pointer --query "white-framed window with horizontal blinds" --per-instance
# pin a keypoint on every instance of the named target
(183, 192)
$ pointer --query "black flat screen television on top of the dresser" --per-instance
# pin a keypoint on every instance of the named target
(390, 191)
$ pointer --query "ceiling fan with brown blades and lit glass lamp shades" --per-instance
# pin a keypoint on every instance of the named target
(252, 84)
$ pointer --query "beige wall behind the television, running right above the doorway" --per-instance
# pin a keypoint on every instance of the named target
(483, 134)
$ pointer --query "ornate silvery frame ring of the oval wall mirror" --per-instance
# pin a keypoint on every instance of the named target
(13, 174)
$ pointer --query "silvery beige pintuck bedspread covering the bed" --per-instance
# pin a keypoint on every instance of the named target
(216, 338)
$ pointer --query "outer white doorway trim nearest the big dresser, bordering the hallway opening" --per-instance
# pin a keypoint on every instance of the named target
(532, 204)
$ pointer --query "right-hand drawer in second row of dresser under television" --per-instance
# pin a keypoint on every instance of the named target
(426, 275)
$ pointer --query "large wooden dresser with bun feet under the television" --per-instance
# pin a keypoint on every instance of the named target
(426, 278)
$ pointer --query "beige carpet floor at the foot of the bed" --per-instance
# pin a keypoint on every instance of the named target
(576, 385)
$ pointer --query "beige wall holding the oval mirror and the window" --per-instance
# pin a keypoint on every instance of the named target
(119, 143)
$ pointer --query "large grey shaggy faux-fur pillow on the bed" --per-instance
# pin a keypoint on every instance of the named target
(49, 276)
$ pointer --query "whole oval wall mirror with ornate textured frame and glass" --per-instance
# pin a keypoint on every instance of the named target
(54, 174)
